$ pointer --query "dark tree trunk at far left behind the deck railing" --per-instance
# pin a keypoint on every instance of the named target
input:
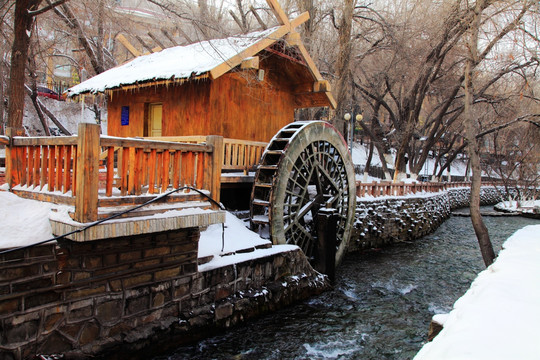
(19, 55)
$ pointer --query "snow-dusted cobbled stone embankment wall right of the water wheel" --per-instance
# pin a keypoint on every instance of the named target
(385, 220)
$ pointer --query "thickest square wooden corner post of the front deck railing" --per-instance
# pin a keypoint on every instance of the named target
(86, 199)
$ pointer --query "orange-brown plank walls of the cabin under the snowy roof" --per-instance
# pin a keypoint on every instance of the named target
(236, 105)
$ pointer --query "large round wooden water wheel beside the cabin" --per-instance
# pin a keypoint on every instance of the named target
(305, 167)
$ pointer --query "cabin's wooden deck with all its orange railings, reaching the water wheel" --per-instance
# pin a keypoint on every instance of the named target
(129, 171)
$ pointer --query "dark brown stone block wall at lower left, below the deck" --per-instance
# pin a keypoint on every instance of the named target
(115, 298)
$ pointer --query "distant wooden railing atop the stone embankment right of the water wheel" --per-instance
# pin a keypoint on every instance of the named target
(377, 189)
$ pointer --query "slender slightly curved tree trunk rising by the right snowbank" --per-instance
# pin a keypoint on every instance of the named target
(486, 248)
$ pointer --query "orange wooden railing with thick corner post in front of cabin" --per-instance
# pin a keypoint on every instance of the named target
(70, 166)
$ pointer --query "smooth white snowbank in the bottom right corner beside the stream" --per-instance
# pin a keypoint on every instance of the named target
(498, 317)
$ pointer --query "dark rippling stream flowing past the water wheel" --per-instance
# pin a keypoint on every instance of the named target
(381, 305)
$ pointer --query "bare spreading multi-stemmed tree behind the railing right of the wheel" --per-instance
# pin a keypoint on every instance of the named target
(423, 99)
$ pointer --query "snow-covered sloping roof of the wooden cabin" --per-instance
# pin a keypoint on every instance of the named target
(179, 62)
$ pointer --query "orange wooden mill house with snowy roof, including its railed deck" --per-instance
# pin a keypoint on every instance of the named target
(181, 116)
